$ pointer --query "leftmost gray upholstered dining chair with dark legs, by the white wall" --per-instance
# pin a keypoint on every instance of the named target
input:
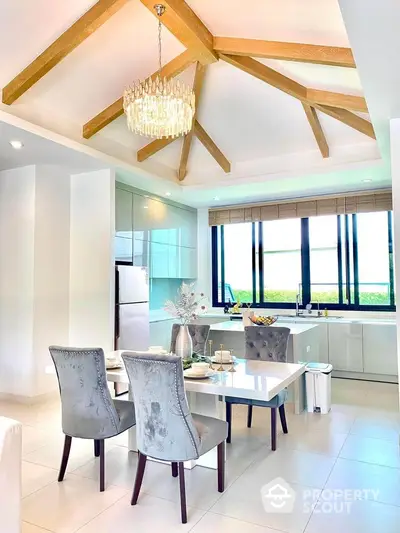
(87, 409)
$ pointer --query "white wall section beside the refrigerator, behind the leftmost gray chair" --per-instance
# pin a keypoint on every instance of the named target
(92, 259)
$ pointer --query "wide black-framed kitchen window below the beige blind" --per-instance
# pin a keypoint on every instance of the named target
(339, 262)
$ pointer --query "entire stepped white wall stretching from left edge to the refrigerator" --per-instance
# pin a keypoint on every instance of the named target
(56, 270)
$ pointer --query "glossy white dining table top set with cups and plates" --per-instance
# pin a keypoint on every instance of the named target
(254, 380)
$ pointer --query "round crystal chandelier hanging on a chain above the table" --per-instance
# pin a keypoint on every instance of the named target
(159, 107)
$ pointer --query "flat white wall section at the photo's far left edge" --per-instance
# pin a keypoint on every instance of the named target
(17, 213)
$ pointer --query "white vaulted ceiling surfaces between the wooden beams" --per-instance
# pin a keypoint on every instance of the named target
(262, 131)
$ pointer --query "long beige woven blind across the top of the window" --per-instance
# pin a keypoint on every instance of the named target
(311, 207)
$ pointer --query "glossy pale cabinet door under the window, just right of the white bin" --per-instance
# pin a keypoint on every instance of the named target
(346, 347)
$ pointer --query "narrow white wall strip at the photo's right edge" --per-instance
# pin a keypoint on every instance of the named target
(395, 161)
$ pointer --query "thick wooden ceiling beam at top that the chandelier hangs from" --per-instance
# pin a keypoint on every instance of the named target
(183, 22)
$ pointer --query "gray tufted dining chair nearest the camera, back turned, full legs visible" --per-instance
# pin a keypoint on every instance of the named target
(165, 428)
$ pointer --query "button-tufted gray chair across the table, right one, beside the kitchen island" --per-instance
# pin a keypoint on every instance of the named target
(263, 344)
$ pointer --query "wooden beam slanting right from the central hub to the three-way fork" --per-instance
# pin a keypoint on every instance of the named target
(268, 75)
